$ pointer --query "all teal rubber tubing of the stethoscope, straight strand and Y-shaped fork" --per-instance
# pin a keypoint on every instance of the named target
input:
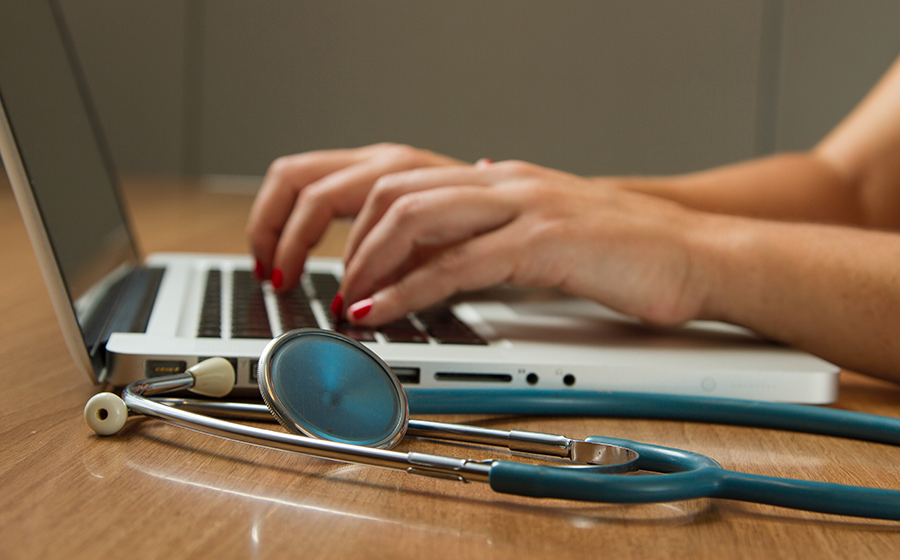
(688, 475)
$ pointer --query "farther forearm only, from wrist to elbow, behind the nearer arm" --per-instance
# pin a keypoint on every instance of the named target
(791, 187)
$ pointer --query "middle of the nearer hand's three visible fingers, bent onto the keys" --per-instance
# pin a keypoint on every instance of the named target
(437, 217)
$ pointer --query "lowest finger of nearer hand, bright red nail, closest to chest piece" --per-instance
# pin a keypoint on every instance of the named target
(475, 264)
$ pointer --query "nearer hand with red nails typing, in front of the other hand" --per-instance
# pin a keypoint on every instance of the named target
(425, 234)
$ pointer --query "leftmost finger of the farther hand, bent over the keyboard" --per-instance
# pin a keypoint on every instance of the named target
(284, 180)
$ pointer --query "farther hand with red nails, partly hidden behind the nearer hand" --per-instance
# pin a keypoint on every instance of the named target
(302, 193)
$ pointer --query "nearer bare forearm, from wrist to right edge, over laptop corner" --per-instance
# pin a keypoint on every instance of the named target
(832, 291)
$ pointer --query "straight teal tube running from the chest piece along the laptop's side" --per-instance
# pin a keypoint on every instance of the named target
(738, 412)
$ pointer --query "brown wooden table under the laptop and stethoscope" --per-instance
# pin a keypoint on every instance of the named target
(156, 491)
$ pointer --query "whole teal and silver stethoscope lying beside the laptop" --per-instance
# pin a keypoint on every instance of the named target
(340, 401)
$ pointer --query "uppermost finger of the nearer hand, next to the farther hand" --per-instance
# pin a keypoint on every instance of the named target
(391, 187)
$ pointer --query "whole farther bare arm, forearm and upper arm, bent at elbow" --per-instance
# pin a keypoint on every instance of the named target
(852, 177)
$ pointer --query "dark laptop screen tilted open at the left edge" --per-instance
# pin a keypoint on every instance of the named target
(62, 152)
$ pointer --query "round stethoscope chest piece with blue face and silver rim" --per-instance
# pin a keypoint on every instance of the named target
(324, 385)
